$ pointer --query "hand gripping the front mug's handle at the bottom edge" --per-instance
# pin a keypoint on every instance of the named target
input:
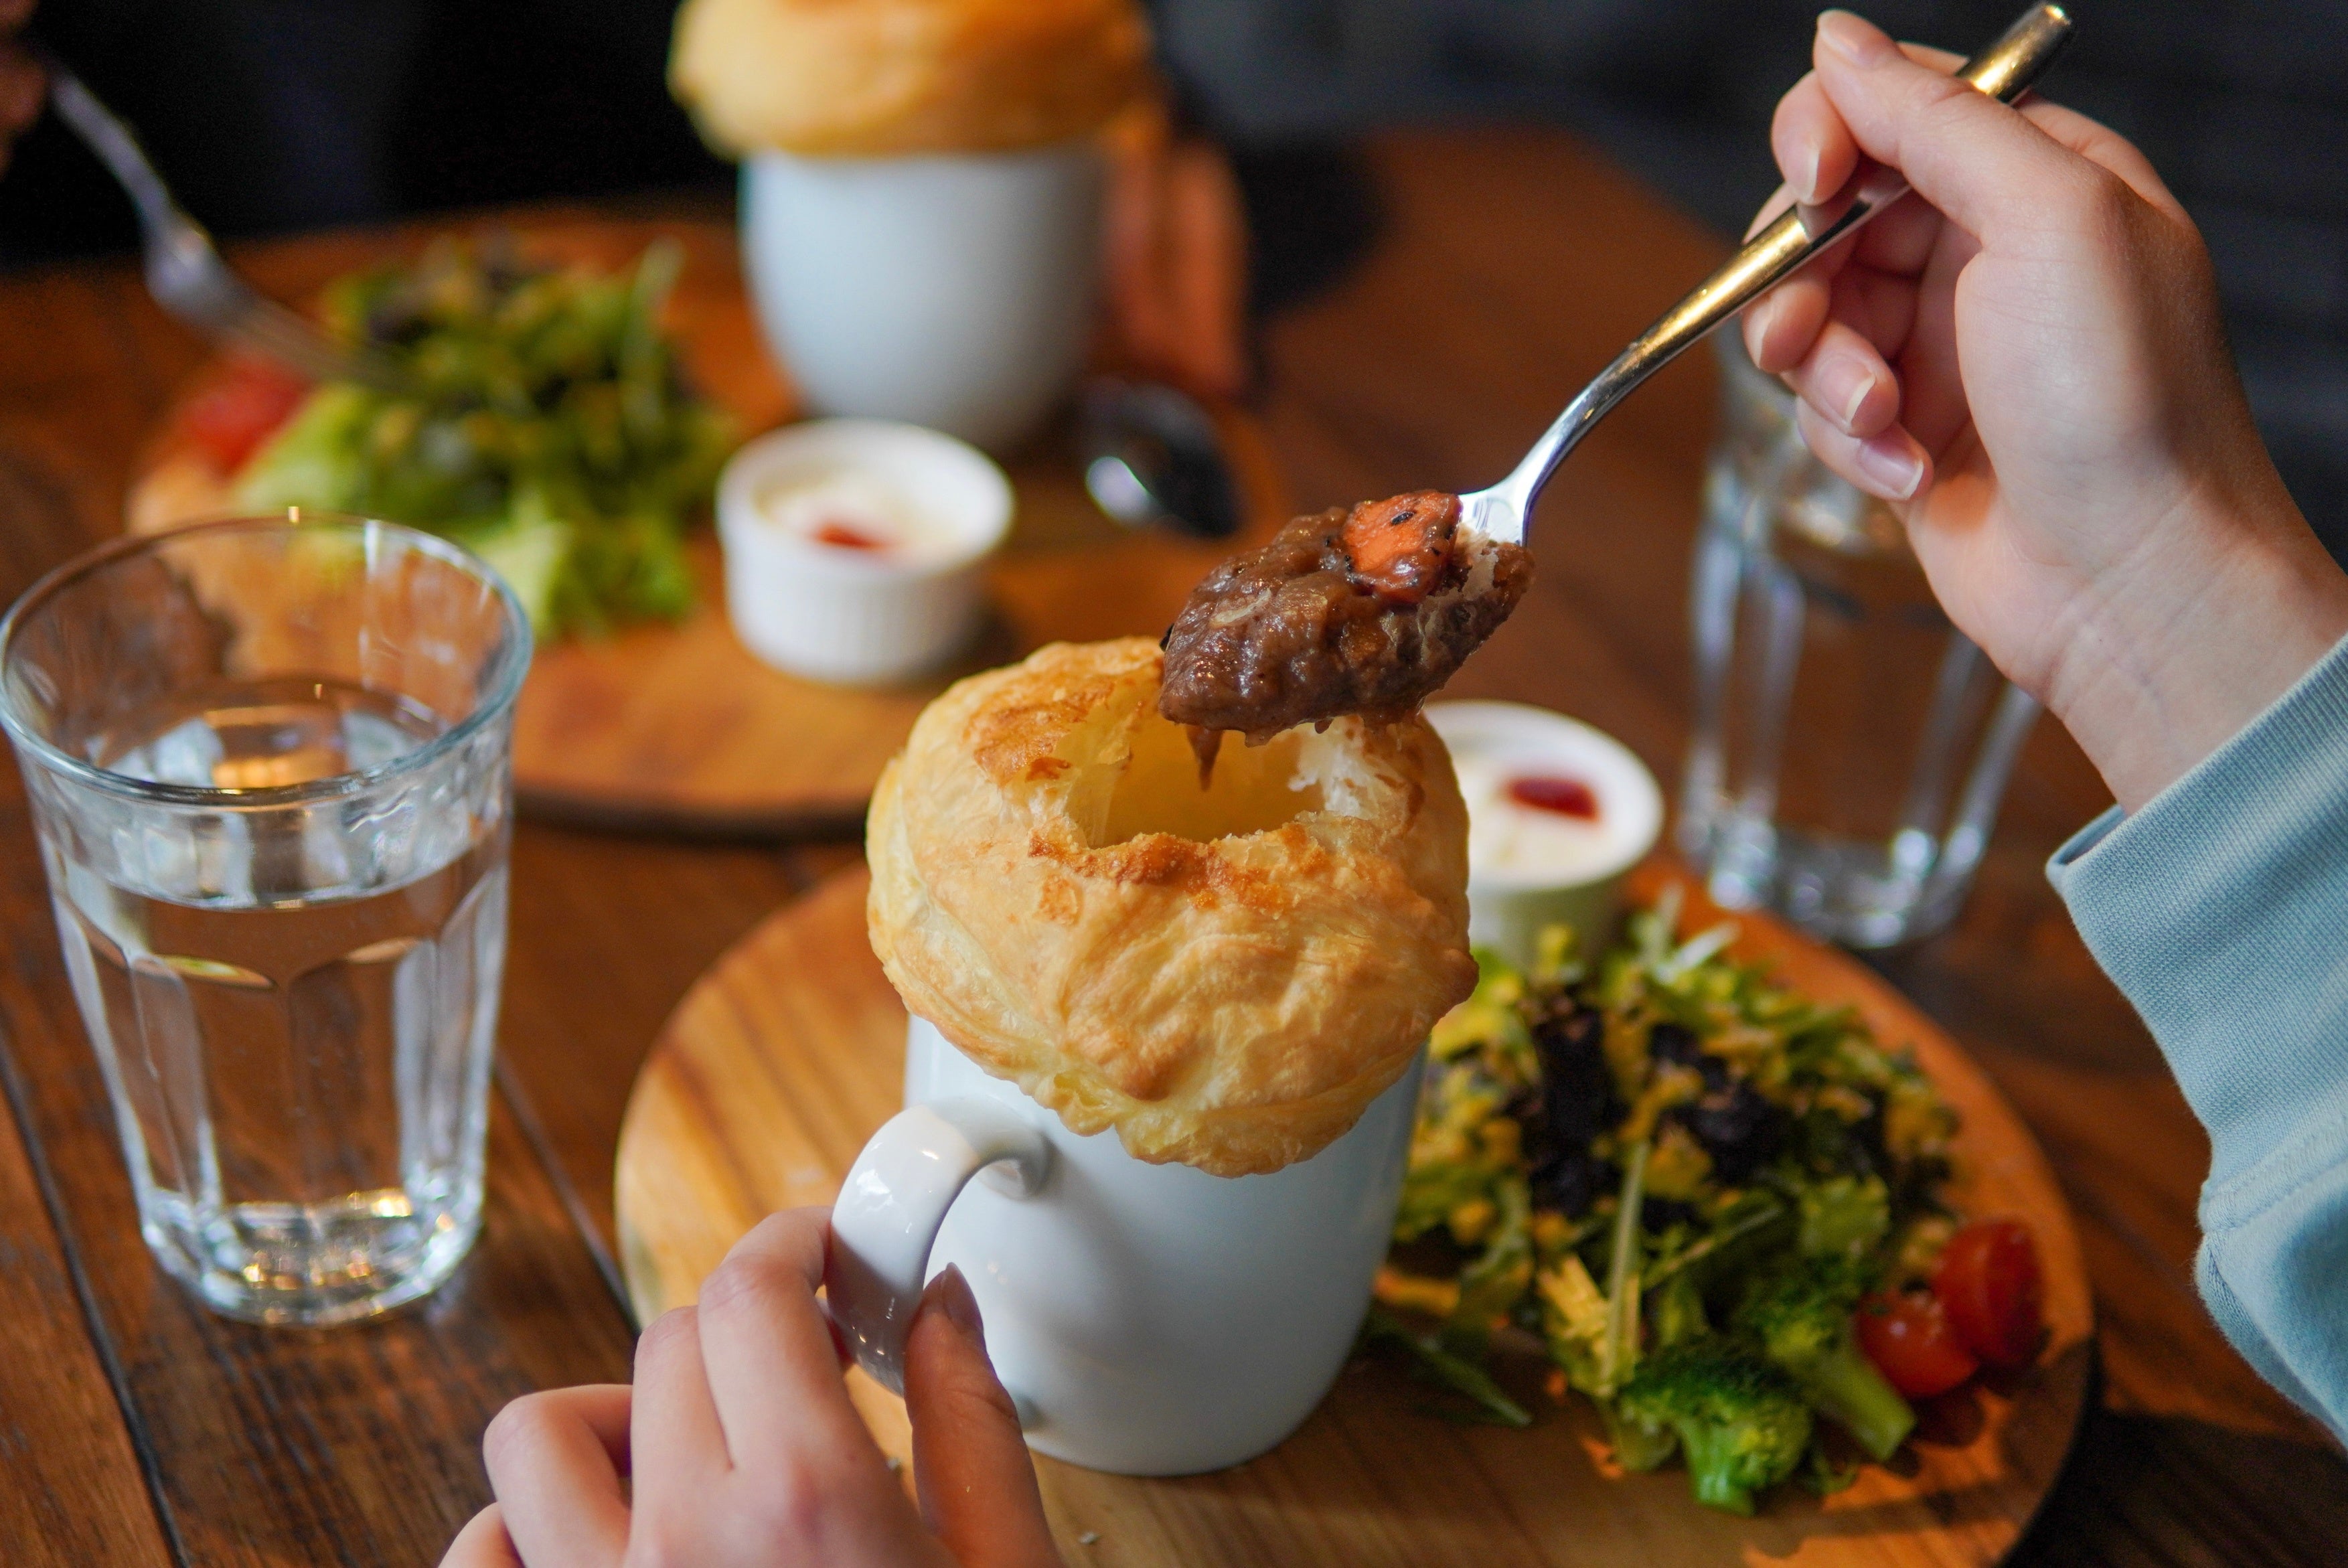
(745, 1452)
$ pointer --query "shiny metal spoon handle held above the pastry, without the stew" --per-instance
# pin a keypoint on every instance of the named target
(2004, 72)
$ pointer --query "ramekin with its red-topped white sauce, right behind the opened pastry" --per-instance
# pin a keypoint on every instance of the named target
(1558, 813)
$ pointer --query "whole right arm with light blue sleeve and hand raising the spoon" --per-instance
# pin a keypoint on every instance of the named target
(2025, 360)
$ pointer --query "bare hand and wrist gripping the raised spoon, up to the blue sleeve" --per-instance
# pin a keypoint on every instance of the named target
(2027, 363)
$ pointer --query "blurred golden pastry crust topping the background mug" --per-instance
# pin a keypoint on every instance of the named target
(905, 76)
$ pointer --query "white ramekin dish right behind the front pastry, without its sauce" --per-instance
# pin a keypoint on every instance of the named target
(1511, 907)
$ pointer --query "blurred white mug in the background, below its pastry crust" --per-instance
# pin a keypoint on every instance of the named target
(950, 290)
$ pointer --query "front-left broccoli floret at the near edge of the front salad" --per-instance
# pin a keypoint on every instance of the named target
(1739, 1419)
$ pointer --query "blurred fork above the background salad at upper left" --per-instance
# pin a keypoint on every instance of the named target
(187, 273)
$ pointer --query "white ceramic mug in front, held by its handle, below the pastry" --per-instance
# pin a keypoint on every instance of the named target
(1147, 1318)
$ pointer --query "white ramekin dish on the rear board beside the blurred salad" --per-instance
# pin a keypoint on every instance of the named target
(842, 616)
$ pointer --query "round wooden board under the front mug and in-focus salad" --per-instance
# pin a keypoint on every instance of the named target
(790, 1053)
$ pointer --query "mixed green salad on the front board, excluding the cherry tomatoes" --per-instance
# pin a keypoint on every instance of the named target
(1685, 1182)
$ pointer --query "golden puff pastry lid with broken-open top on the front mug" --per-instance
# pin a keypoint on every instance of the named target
(1222, 975)
